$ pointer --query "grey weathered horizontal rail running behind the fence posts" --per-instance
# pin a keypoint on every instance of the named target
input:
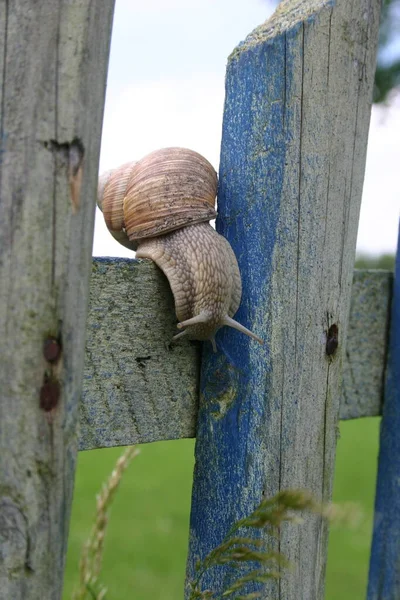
(139, 387)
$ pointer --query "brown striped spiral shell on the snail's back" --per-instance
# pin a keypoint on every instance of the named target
(164, 191)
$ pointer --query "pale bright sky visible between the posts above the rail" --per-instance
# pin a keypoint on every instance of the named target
(165, 87)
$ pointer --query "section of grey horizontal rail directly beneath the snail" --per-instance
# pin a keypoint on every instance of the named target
(138, 386)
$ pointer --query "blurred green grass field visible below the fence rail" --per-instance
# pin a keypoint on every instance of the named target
(146, 542)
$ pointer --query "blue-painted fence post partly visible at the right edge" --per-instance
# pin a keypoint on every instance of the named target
(384, 574)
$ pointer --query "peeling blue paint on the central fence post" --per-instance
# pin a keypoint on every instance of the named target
(229, 475)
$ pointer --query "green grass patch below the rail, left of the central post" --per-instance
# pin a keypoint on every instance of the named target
(146, 542)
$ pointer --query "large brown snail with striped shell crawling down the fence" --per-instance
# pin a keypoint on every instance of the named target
(161, 206)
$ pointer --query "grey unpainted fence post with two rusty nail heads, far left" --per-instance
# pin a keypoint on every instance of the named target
(53, 59)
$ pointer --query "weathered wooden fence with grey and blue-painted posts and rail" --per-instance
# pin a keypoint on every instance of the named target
(298, 99)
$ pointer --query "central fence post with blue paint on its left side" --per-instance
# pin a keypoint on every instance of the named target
(297, 108)
